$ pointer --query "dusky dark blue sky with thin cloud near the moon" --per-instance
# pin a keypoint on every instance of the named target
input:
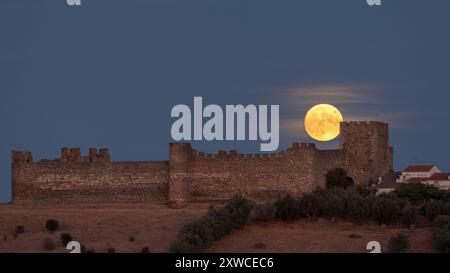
(107, 74)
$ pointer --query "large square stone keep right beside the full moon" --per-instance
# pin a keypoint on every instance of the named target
(366, 150)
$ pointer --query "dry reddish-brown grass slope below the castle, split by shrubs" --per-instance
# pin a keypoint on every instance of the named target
(103, 226)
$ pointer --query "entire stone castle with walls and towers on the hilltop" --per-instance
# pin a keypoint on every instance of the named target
(190, 175)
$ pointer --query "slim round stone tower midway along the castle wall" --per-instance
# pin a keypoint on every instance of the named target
(180, 155)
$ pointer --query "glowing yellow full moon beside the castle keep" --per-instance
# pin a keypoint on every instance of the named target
(322, 122)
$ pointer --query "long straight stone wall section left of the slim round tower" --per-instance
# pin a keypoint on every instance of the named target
(86, 182)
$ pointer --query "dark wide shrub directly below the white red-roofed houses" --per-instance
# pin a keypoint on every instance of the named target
(417, 193)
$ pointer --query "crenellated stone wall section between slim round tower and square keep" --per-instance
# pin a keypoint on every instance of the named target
(260, 176)
